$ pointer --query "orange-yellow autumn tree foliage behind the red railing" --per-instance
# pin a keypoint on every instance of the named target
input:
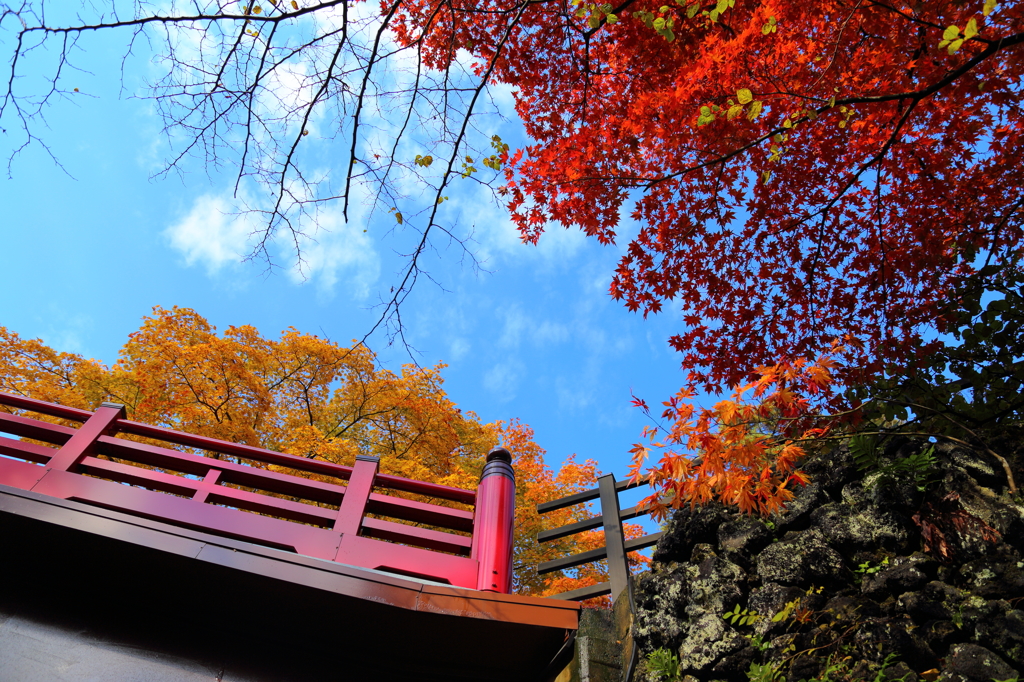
(311, 398)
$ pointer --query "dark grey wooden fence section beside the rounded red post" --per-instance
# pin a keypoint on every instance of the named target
(616, 546)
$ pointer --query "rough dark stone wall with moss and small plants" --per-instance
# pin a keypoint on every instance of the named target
(840, 587)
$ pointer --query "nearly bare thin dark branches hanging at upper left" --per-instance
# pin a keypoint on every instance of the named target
(199, 98)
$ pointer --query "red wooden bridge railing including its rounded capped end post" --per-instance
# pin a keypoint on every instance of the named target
(93, 465)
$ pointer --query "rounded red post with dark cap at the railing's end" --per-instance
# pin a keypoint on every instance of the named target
(493, 523)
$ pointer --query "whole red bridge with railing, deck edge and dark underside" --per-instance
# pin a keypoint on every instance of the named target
(240, 566)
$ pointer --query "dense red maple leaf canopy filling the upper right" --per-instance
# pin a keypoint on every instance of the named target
(798, 172)
